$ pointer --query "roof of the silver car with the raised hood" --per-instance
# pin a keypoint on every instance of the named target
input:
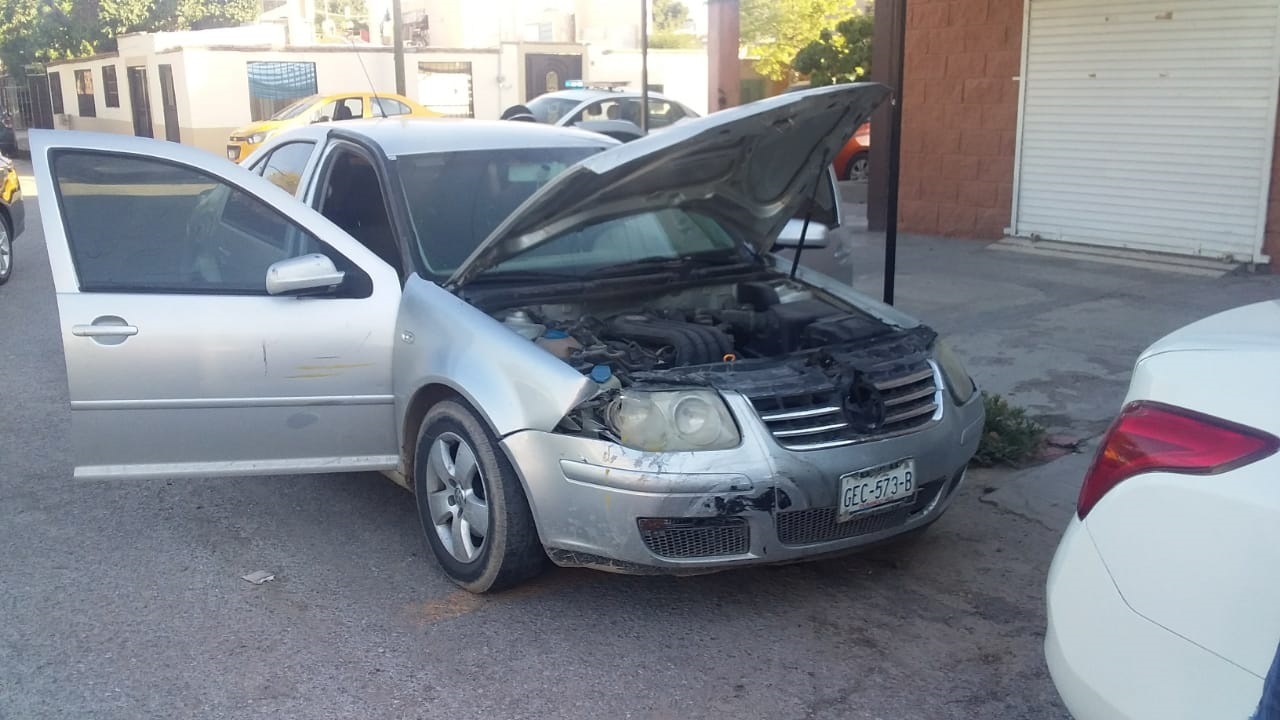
(410, 136)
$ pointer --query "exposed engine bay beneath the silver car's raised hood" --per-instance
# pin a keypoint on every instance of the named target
(628, 339)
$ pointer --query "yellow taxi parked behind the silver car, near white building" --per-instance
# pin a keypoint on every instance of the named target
(323, 110)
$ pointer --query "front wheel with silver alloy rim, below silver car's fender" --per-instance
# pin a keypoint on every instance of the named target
(476, 516)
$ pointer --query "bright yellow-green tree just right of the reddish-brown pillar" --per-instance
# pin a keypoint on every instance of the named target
(774, 31)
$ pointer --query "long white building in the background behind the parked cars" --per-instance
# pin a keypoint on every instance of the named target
(196, 88)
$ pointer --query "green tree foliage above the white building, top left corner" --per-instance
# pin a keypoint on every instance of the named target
(39, 31)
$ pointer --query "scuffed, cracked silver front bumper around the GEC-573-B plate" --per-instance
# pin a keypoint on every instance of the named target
(605, 507)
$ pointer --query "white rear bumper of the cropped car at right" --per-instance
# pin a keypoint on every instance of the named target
(1109, 663)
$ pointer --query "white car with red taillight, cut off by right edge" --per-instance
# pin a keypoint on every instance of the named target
(1164, 598)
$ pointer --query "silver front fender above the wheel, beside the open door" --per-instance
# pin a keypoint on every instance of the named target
(510, 381)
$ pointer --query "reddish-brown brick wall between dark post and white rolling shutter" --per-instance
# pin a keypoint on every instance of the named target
(961, 117)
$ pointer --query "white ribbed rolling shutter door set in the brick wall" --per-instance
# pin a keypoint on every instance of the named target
(1149, 125)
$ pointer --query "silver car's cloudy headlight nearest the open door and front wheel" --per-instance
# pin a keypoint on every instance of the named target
(675, 421)
